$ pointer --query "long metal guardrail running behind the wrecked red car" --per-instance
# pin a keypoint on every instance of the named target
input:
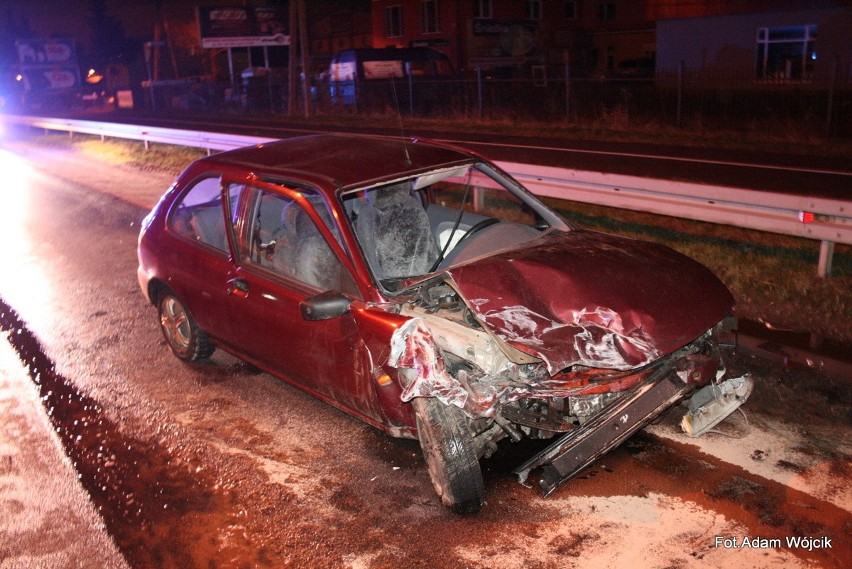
(826, 220)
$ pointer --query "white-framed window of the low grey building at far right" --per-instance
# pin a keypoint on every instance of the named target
(786, 53)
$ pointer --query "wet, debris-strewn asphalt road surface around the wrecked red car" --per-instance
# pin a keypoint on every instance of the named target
(221, 465)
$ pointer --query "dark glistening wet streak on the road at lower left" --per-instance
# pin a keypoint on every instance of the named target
(143, 490)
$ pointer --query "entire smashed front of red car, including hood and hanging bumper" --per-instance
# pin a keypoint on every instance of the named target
(527, 346)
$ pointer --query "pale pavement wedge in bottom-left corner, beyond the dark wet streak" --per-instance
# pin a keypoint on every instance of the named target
(48, 519)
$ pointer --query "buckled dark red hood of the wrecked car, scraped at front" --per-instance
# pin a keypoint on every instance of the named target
(592, 299)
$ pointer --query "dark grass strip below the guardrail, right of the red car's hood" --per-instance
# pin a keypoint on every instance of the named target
(773, 277)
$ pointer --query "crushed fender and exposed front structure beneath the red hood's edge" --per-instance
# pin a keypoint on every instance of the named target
(476, 371)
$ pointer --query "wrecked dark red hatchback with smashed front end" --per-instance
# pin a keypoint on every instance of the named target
(421, 289)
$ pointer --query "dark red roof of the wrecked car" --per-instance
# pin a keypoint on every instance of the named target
(332, 161)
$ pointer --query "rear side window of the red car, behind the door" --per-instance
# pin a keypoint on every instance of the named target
(198, 215)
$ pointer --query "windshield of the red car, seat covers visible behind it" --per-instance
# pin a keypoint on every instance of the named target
(413, 226)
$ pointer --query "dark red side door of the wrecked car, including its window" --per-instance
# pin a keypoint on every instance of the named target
(283, 259)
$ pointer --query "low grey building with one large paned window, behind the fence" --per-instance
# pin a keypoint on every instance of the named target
(794, 43)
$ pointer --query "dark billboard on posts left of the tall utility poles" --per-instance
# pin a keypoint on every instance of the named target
(242, 27)
